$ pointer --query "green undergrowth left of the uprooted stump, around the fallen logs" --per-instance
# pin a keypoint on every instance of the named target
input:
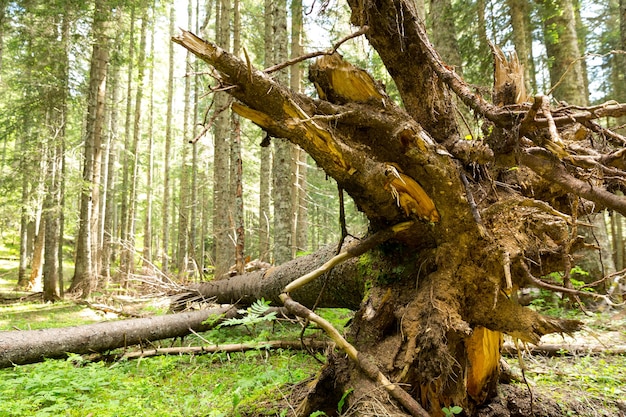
(257, 382)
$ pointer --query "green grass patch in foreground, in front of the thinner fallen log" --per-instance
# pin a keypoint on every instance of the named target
(208, 385)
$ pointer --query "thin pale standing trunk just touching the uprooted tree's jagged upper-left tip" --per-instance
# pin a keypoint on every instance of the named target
(165, 233)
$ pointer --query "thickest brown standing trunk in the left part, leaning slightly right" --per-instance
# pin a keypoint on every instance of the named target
(84, 280)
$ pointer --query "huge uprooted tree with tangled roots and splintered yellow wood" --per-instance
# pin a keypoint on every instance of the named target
(464, 223)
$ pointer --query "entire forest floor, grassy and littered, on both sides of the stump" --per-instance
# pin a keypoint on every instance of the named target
(265, 382)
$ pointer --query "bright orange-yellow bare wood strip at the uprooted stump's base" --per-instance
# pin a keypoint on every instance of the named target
(483, 353)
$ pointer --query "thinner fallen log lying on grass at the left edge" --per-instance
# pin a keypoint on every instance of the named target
(29, 346)
